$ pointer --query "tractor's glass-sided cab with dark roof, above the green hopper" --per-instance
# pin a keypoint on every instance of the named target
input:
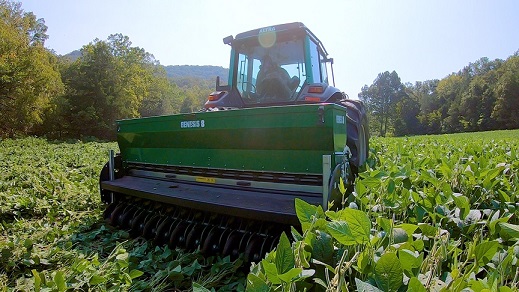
(282, 64)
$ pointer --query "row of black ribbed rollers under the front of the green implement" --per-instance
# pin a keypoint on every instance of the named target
(183, 228)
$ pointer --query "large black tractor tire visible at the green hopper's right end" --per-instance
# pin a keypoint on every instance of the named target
(358, 133)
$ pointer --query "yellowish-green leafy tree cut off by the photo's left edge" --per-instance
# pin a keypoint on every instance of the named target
(29, 79)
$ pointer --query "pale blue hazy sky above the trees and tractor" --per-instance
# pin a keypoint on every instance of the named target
(420, 40)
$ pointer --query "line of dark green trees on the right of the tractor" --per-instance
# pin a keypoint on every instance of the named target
(482, 96)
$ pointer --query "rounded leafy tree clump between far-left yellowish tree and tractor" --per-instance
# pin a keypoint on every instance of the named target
(112, 80)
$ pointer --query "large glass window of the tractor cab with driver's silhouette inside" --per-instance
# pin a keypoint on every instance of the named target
(270, 74)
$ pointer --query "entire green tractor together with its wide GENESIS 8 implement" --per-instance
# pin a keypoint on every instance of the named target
(224, 179)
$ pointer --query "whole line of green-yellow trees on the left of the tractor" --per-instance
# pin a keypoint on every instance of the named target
(42, 93)
